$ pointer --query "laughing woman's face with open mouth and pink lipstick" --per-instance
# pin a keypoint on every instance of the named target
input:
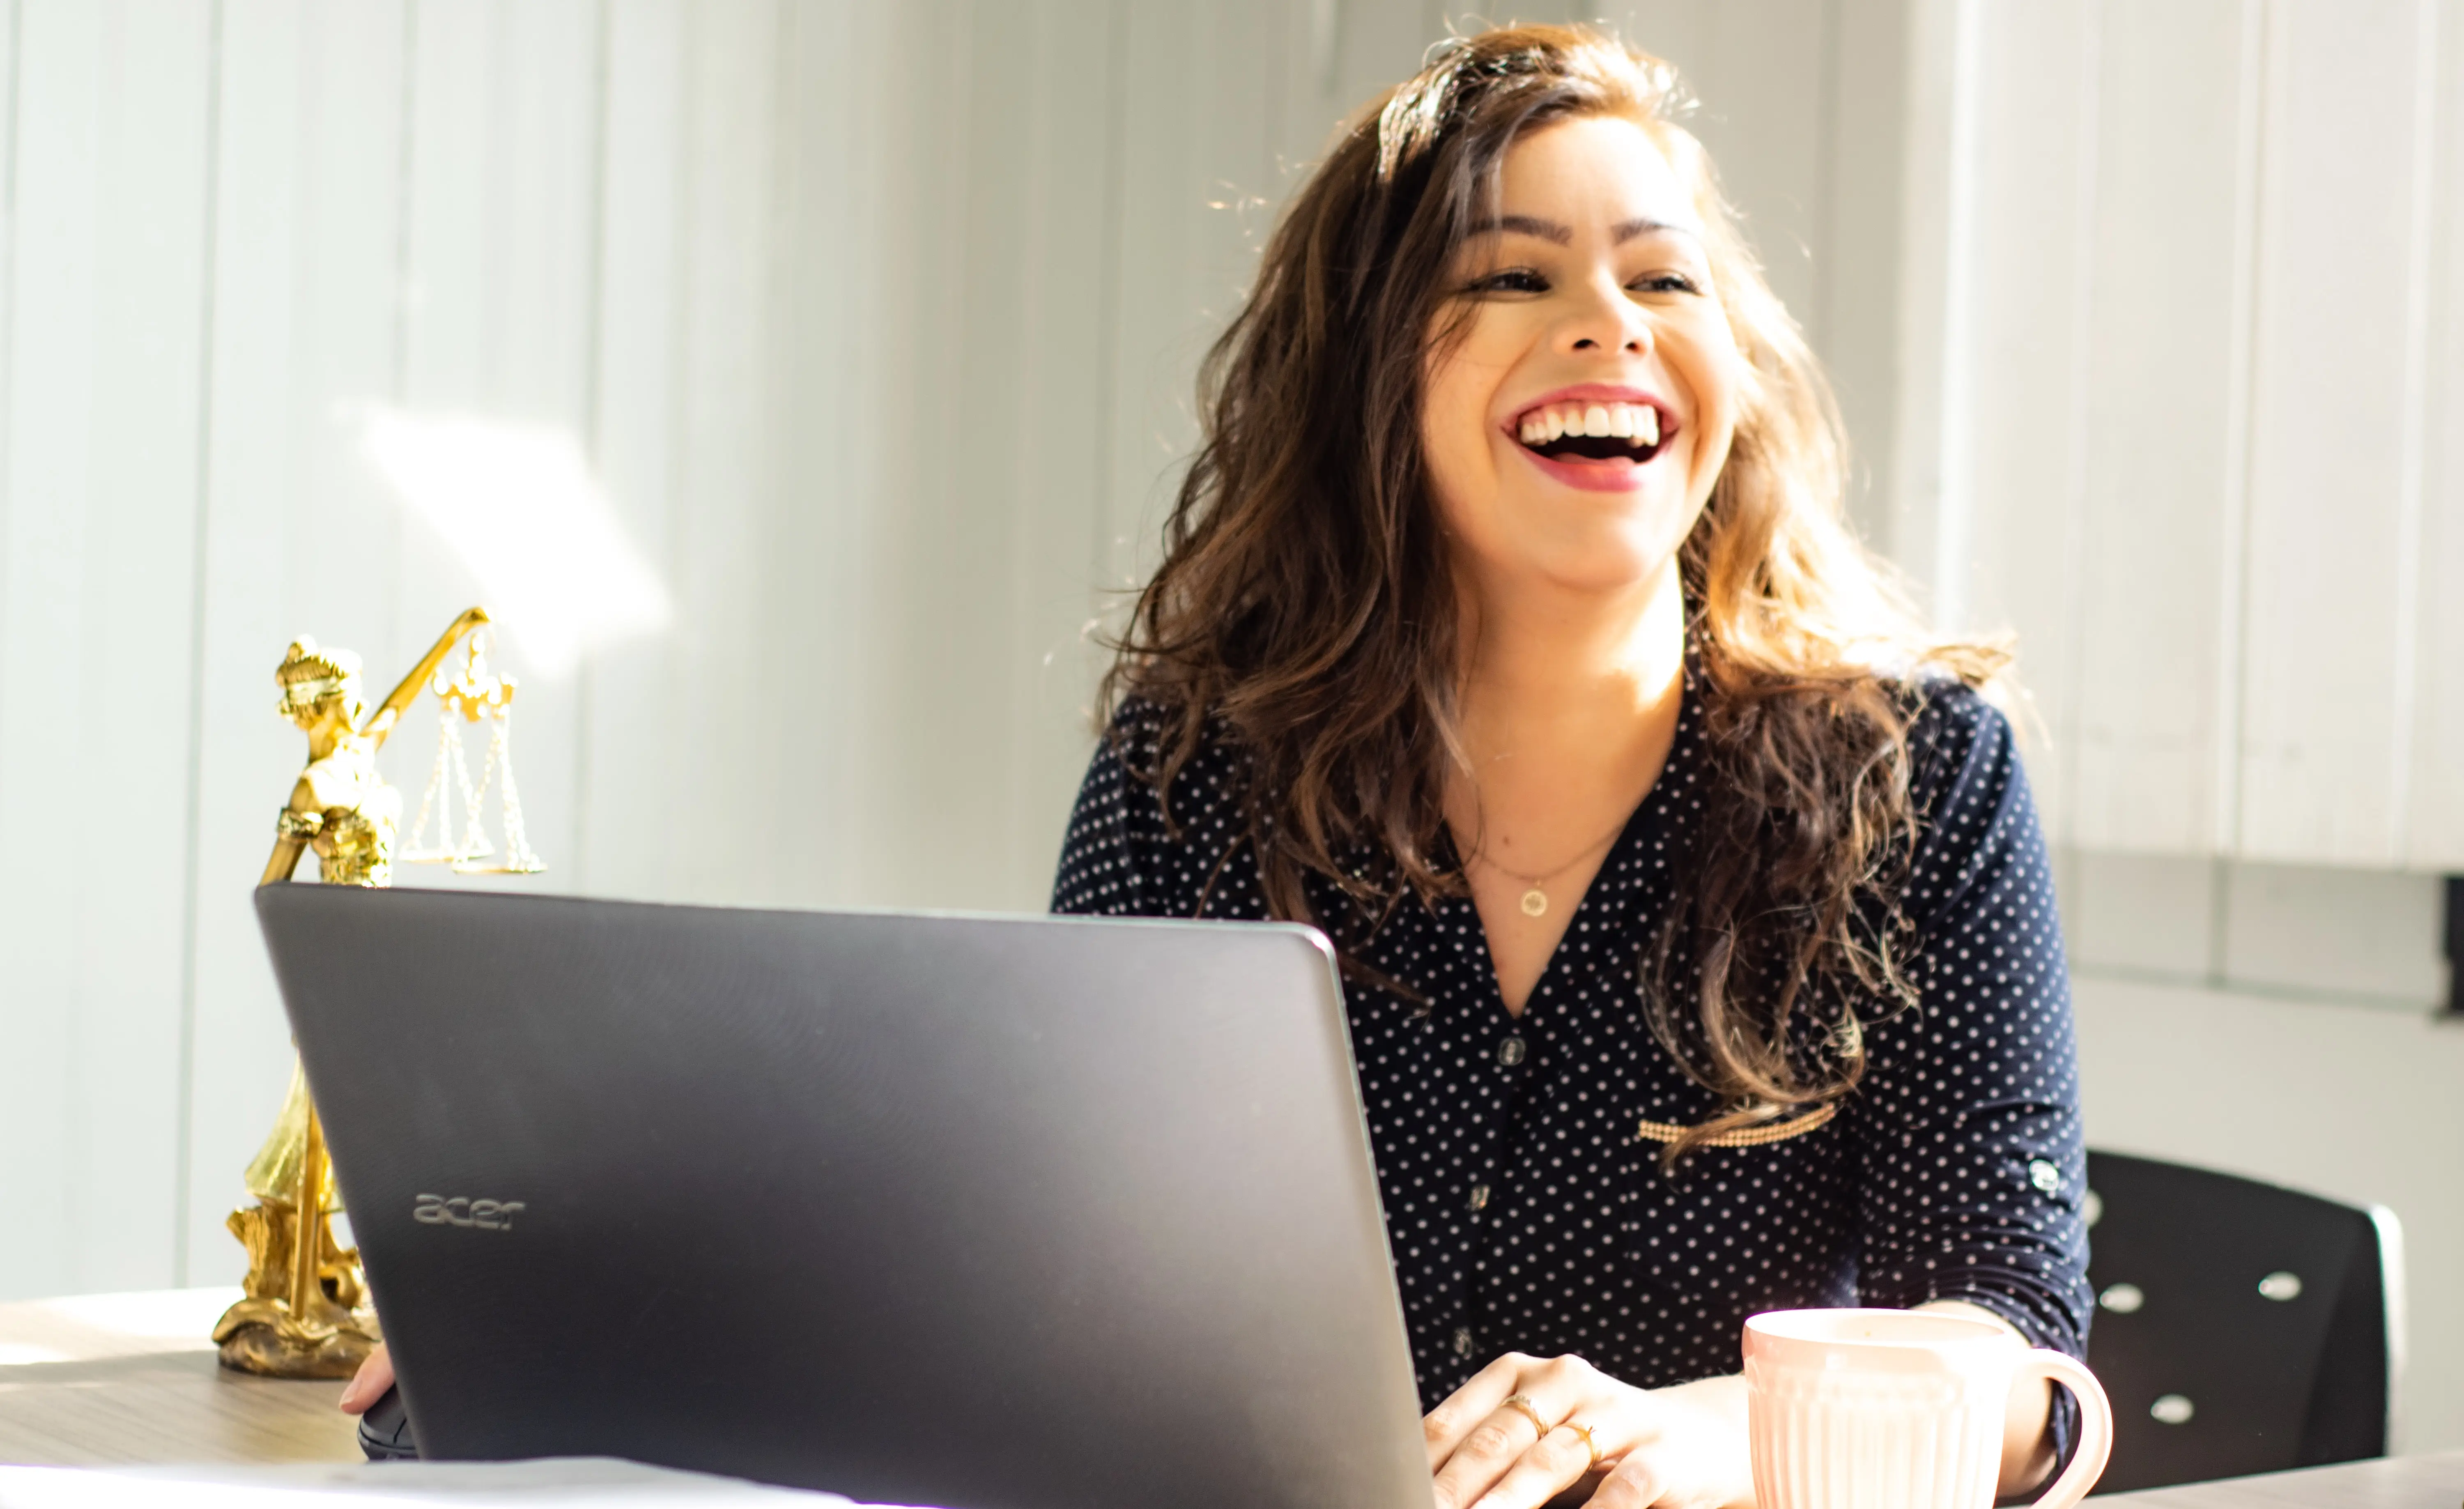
(1576, 430)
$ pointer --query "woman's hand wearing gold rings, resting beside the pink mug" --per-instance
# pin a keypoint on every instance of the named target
(1514, 1439)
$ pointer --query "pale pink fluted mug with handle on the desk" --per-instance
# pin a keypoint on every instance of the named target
(1899, 1409)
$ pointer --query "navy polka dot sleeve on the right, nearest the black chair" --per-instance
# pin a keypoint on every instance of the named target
(1968, 1123)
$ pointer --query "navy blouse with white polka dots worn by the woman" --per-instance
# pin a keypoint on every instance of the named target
(1522, 1202)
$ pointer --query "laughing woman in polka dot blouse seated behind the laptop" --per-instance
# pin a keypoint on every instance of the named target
(1699, 938)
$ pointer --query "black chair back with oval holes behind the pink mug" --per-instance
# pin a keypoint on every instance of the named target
(2241, 1328)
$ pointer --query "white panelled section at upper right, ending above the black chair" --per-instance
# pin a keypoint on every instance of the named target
(2187, 411)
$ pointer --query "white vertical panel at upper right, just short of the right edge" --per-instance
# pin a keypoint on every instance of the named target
(2335, 430)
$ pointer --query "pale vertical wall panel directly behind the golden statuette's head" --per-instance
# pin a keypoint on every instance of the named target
(302, 536)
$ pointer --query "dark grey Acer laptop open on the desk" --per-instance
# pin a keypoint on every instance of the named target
(923, 1209)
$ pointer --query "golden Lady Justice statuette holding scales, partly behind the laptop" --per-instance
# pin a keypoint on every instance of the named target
(307, 1311)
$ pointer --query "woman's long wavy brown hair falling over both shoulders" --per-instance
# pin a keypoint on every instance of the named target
(1307, 610)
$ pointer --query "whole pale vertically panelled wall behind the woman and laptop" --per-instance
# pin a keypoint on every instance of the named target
(878, 324)
